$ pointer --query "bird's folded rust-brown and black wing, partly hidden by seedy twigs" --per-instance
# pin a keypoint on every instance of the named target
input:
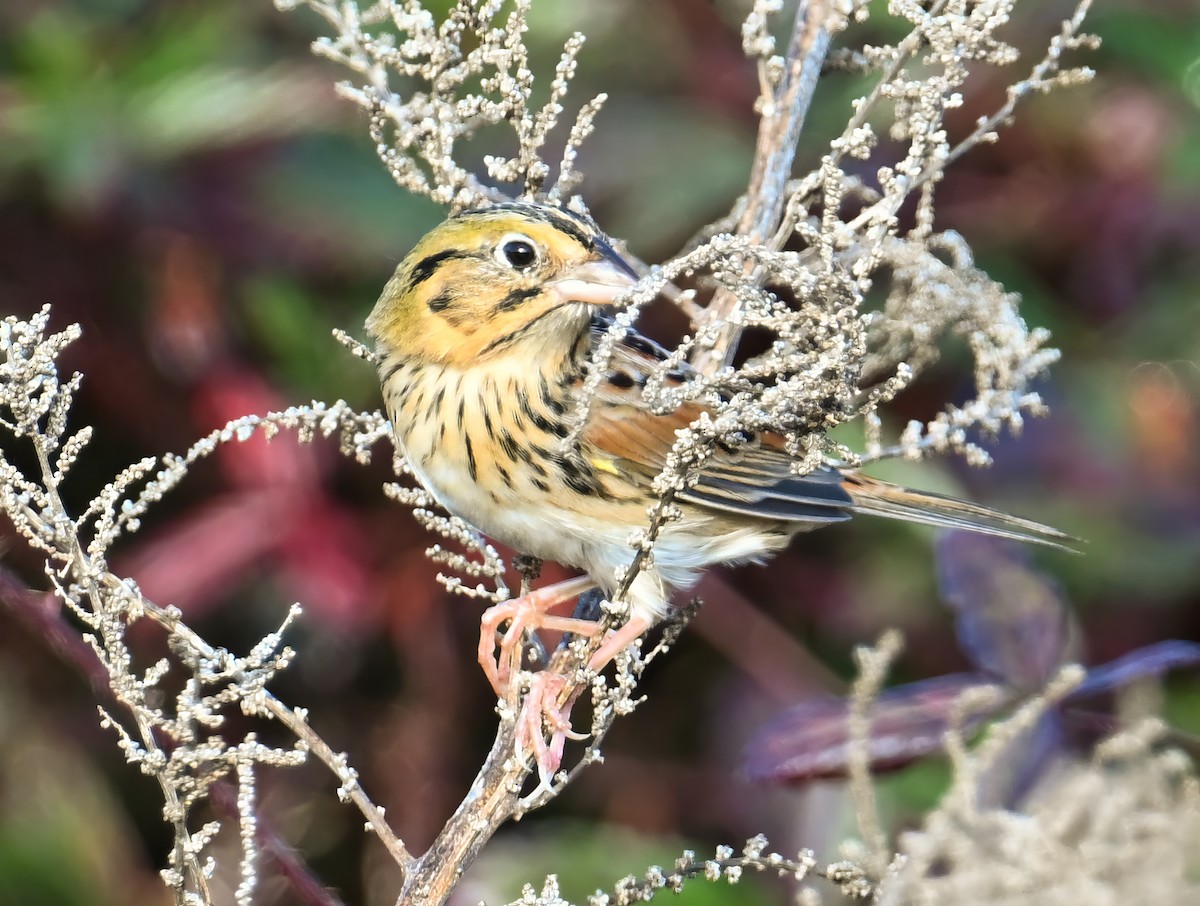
(755, 481)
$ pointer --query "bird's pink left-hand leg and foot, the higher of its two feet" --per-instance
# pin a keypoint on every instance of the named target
(529, 613)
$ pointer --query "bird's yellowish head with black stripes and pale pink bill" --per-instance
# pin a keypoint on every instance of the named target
(513, 279)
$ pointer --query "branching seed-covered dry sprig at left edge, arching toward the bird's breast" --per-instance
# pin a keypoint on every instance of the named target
(185, 765)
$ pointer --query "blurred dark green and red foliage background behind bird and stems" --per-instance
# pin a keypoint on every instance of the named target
(181, 179)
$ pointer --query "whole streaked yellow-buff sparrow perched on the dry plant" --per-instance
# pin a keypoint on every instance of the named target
(485, 338)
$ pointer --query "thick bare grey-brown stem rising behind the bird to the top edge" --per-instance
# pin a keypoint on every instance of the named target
(779, 133)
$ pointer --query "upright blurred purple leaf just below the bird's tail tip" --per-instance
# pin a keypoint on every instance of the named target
(1011, 619)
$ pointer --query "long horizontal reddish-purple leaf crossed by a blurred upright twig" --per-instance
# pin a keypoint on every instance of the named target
(812, 741)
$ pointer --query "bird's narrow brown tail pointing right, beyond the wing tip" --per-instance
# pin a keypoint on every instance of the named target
(880, 499)
